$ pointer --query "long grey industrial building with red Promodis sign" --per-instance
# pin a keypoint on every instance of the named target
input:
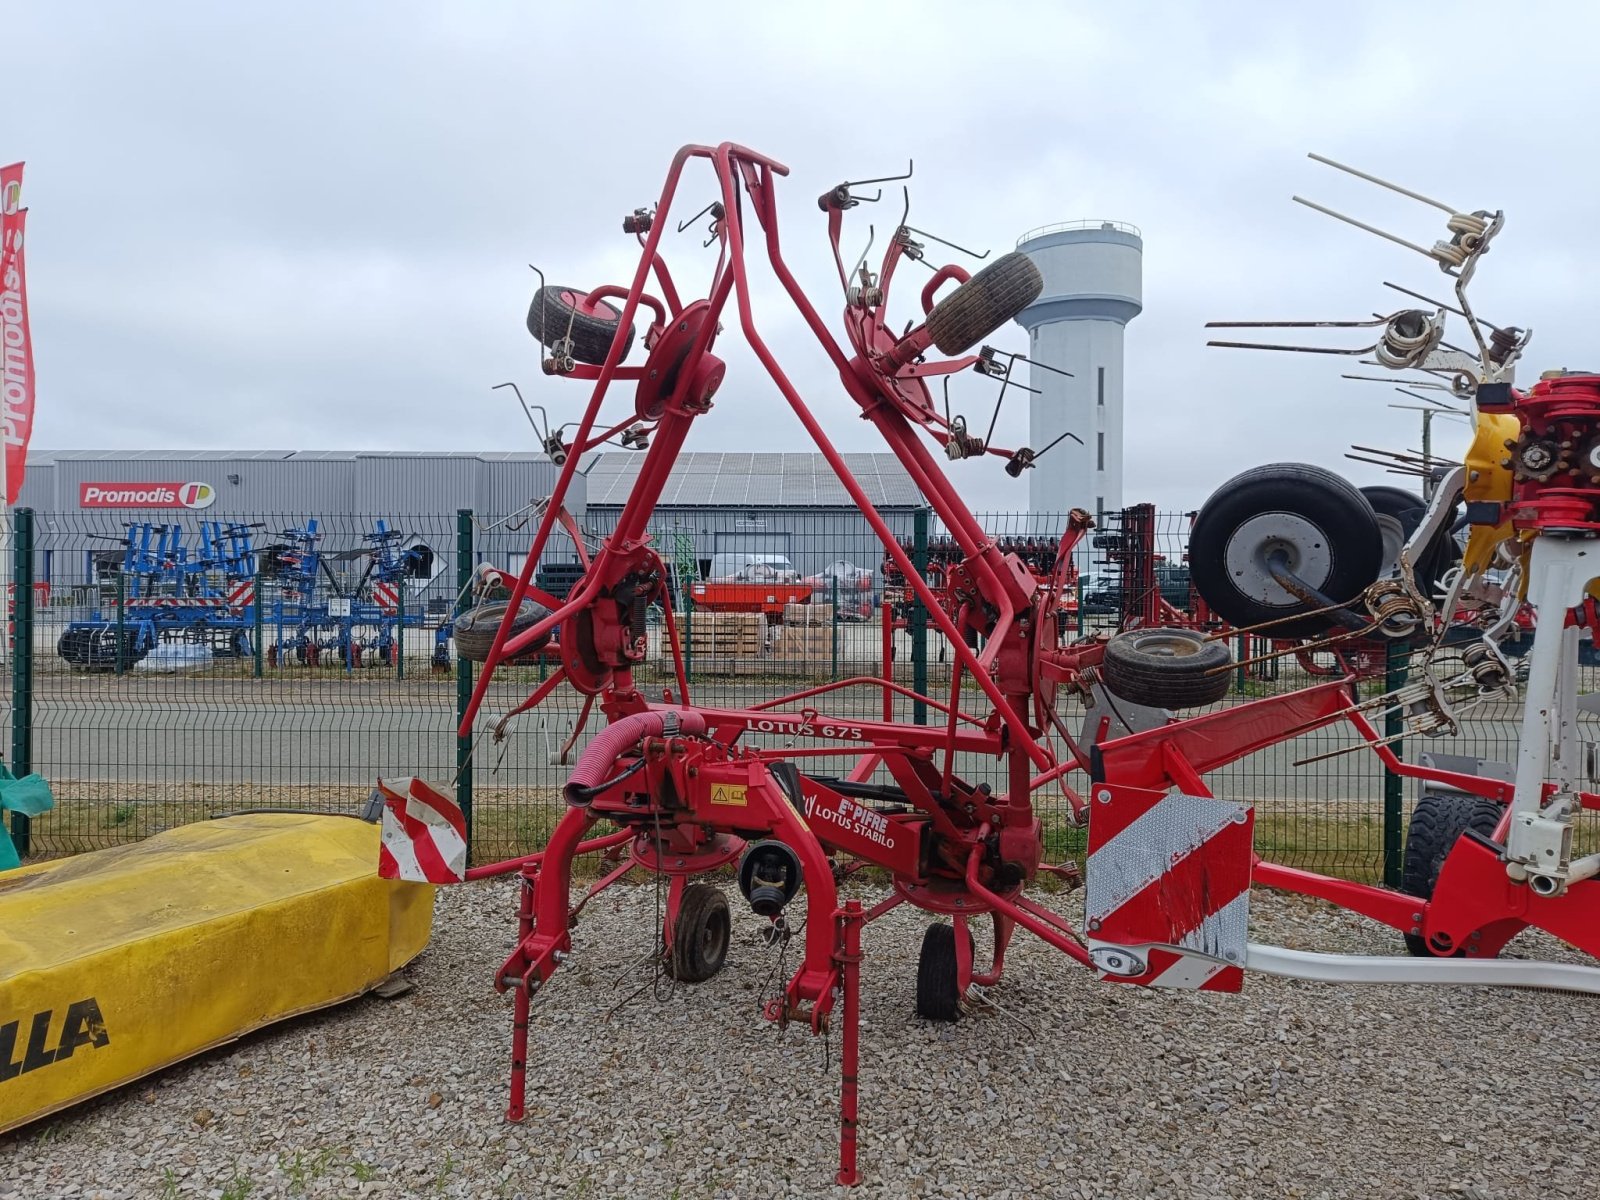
(714, 503)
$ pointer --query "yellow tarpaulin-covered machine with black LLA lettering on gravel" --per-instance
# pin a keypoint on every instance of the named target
(126, 961)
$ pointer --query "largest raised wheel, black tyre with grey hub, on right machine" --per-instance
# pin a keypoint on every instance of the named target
(1324, 526)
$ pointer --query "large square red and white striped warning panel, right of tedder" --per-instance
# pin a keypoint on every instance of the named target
(1167, 889)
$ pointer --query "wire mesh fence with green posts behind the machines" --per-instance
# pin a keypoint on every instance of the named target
(223, 665)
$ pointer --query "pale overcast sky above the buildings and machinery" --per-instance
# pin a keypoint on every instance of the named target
(308, 225)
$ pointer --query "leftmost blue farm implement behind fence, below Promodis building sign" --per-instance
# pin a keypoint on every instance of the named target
(169, 594)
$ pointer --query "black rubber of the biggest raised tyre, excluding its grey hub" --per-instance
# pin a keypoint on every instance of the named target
(1346, 526)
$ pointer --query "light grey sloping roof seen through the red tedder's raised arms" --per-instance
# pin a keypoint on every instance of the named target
(756, 481)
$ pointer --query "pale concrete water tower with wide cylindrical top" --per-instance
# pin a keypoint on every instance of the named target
(1094, 287)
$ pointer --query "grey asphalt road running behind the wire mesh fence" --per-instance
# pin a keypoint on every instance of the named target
(98, 729)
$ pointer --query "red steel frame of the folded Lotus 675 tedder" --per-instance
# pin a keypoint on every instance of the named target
(954, 849)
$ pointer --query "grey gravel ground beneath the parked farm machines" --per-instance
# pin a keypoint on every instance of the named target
(1289, 1090)
